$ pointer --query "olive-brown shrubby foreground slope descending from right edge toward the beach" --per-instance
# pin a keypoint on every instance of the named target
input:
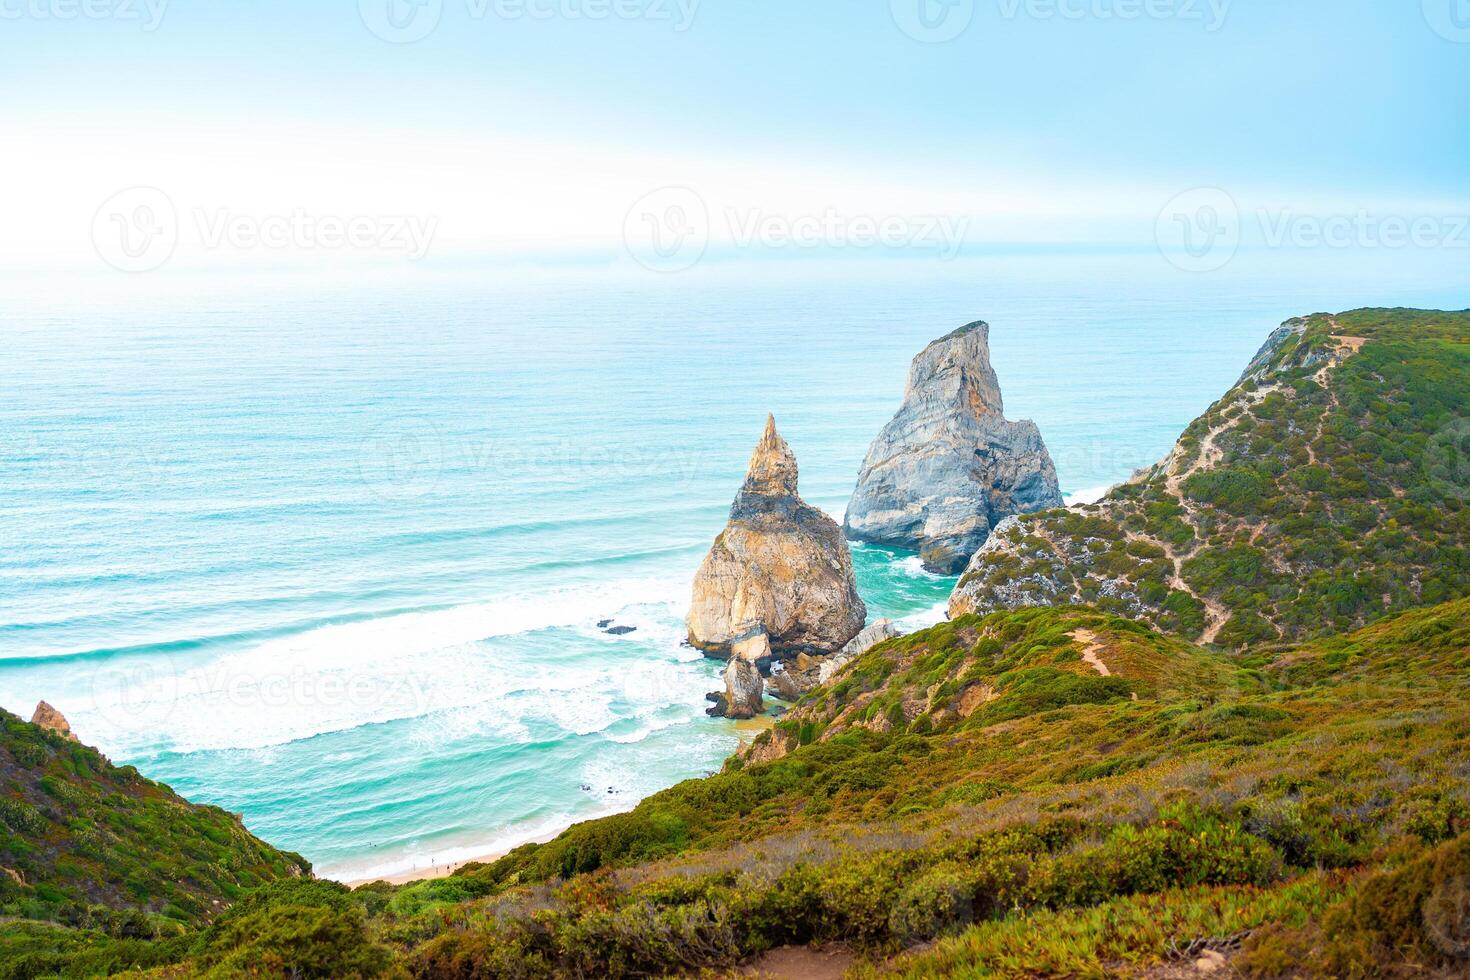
(1306, 806)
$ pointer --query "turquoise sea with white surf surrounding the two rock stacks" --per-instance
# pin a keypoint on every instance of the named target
(334, 555)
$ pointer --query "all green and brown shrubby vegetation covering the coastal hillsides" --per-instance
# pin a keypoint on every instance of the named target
(1053, 791)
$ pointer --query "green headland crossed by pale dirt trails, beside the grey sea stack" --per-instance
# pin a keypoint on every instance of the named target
(1324, 491)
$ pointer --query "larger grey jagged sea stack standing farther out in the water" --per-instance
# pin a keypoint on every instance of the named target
(950, 466)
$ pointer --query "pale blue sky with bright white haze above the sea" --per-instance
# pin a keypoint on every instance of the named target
(558, 130)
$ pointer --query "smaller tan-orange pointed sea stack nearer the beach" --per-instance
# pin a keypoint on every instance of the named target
(780, 566)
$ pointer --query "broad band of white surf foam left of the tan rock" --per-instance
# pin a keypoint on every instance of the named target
(395, 668)
